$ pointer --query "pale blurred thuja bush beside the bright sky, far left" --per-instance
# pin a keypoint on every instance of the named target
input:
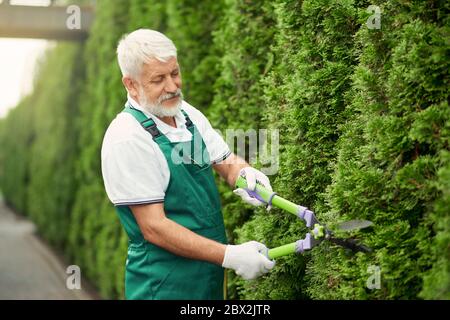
(52, 155)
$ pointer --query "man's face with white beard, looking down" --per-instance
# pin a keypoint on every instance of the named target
(159, 87)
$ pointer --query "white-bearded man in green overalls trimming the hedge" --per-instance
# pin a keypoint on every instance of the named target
(157, 161)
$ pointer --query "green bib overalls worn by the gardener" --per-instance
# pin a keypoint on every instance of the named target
(192, 200)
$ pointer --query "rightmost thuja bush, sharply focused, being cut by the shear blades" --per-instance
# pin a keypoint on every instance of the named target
(393, 162)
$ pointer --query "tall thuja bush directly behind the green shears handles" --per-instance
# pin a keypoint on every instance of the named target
(305, 99)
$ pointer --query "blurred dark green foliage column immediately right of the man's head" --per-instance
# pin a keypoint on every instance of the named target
(190, 24)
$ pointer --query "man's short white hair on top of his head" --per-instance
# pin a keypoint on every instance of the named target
(139, 47)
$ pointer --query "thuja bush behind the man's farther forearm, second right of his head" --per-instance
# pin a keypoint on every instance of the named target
(243, 39)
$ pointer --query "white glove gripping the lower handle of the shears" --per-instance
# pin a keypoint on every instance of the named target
(247, 259)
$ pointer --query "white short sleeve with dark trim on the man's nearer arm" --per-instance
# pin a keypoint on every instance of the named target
(132, 174)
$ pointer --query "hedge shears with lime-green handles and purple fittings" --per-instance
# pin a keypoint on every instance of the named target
(318, 232)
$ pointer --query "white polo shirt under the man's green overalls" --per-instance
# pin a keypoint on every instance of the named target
(134, 169)
